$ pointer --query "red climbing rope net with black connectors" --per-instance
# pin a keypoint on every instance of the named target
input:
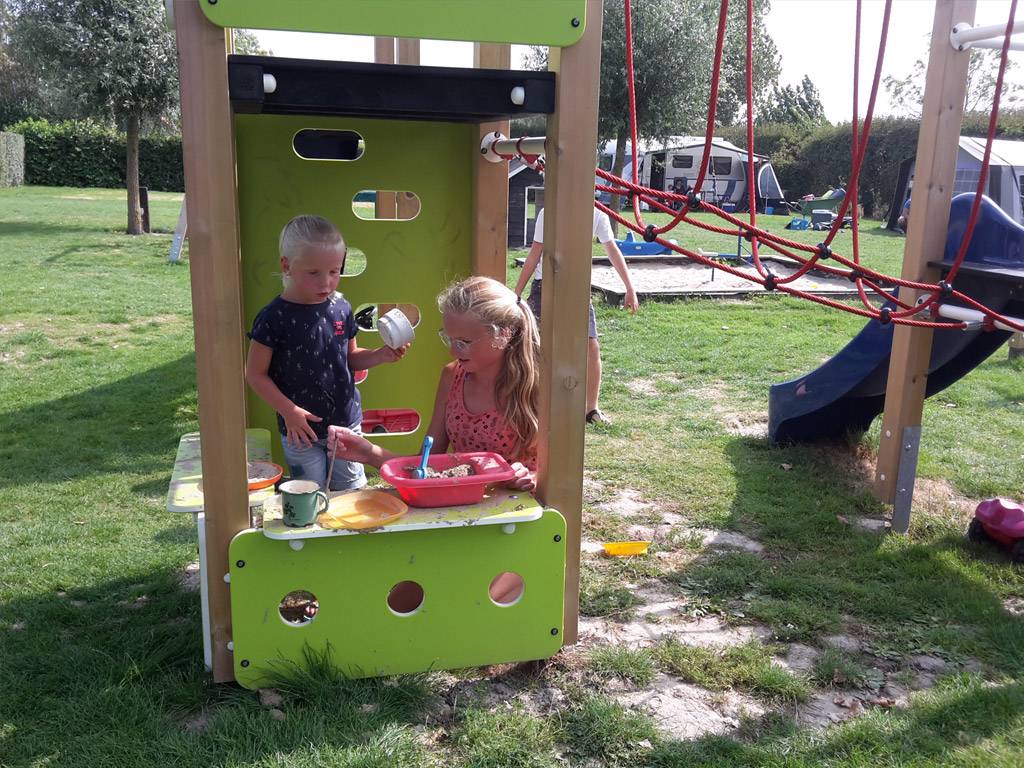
(922, 315)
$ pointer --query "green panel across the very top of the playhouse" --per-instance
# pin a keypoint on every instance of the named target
(533, 23)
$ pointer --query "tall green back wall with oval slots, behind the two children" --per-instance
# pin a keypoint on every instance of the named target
(407, 262)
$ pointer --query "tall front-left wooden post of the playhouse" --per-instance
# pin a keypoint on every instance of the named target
(214, 235)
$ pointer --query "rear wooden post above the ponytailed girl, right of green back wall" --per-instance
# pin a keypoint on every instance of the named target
(491, 184)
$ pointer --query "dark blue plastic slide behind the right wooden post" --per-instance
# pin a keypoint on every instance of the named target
(847, 393)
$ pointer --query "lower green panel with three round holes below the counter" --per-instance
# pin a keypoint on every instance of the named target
(456, 626)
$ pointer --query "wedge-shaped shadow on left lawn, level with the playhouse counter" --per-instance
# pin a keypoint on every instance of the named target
(129, 425)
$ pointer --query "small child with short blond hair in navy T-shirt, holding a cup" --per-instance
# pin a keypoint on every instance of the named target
(304, 353)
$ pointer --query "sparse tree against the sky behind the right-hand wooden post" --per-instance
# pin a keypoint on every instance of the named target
(908, 94)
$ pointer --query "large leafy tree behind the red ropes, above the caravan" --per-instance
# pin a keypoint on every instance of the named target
(673, 55)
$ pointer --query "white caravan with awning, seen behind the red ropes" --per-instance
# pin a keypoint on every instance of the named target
(673, 166)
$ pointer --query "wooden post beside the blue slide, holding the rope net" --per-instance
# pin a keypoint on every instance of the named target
(938, 145)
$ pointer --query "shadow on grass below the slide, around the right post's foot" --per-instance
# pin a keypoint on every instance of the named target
(926, 593)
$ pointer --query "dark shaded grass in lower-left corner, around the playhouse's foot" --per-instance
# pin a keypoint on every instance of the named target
(112, 674)
